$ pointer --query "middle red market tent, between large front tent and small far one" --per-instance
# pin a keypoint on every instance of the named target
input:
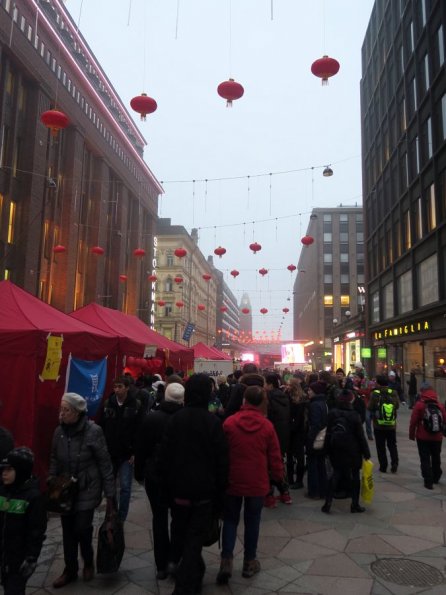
(135, 336)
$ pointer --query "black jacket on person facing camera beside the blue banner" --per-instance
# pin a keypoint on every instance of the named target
(121, 424)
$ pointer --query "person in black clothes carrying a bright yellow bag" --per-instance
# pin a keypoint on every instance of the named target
(346, 446)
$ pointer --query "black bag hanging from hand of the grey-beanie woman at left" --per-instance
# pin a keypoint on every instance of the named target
(111, 545)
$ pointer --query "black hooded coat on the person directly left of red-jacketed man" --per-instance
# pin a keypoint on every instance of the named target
(194, 460)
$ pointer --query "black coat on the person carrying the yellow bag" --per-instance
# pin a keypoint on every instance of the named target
(354, 445)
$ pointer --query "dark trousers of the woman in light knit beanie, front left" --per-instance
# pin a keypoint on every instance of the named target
(77, 531)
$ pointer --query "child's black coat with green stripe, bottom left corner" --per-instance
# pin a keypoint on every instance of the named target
(22, 524)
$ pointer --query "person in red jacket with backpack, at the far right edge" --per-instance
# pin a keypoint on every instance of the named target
(426, 426)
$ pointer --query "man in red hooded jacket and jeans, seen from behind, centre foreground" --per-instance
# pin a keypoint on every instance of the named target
(254, 457)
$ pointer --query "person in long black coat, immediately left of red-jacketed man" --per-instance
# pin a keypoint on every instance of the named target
(193, 467)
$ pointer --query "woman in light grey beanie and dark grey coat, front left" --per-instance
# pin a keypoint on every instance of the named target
(79, 449)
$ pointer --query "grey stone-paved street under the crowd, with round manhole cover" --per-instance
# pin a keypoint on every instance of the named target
(301, 549)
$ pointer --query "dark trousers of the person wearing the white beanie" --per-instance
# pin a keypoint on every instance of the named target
(160, 527)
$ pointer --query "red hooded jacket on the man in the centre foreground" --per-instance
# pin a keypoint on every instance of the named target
(254, 453)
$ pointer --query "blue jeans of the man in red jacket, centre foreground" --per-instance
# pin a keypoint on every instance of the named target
(252, 511)
